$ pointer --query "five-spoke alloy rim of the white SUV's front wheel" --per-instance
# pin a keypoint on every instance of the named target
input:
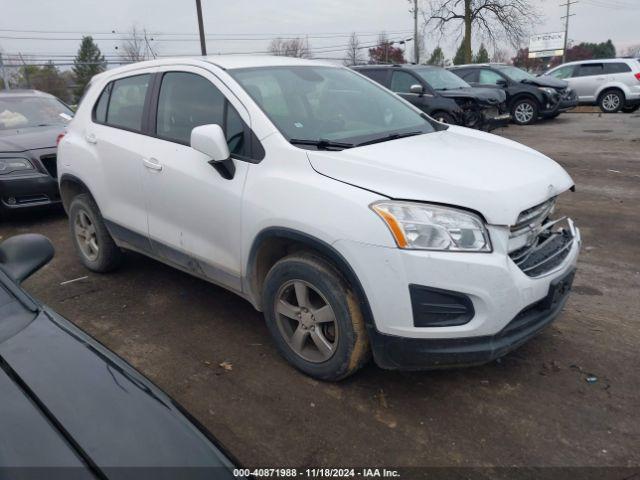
(306, 321)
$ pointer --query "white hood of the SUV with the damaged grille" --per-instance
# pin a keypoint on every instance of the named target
(494, 176)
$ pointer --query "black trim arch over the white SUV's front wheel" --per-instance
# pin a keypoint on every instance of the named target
(274, 243)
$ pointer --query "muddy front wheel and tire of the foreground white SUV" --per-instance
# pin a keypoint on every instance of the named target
(314, 317)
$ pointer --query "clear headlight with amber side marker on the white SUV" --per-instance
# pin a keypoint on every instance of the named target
(432, 227)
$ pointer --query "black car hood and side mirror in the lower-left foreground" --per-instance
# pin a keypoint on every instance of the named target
(70, 403)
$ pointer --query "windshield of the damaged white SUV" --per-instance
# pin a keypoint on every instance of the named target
(327, 103)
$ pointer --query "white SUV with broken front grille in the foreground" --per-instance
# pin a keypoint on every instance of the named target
(356, 223)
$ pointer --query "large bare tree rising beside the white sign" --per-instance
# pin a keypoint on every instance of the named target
(491, 19)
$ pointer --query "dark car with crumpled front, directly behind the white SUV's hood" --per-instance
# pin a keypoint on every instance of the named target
(430, 88)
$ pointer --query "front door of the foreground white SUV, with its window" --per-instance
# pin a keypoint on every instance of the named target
(194, 212)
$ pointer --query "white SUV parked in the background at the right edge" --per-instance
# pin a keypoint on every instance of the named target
(612, 84)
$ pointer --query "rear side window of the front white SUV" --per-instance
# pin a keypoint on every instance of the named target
(126, 102)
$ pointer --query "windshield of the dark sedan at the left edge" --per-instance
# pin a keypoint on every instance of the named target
(24, 112)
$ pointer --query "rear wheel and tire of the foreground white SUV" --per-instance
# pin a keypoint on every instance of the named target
(91, 239)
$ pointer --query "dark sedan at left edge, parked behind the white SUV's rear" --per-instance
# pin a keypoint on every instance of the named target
(30, 123)
